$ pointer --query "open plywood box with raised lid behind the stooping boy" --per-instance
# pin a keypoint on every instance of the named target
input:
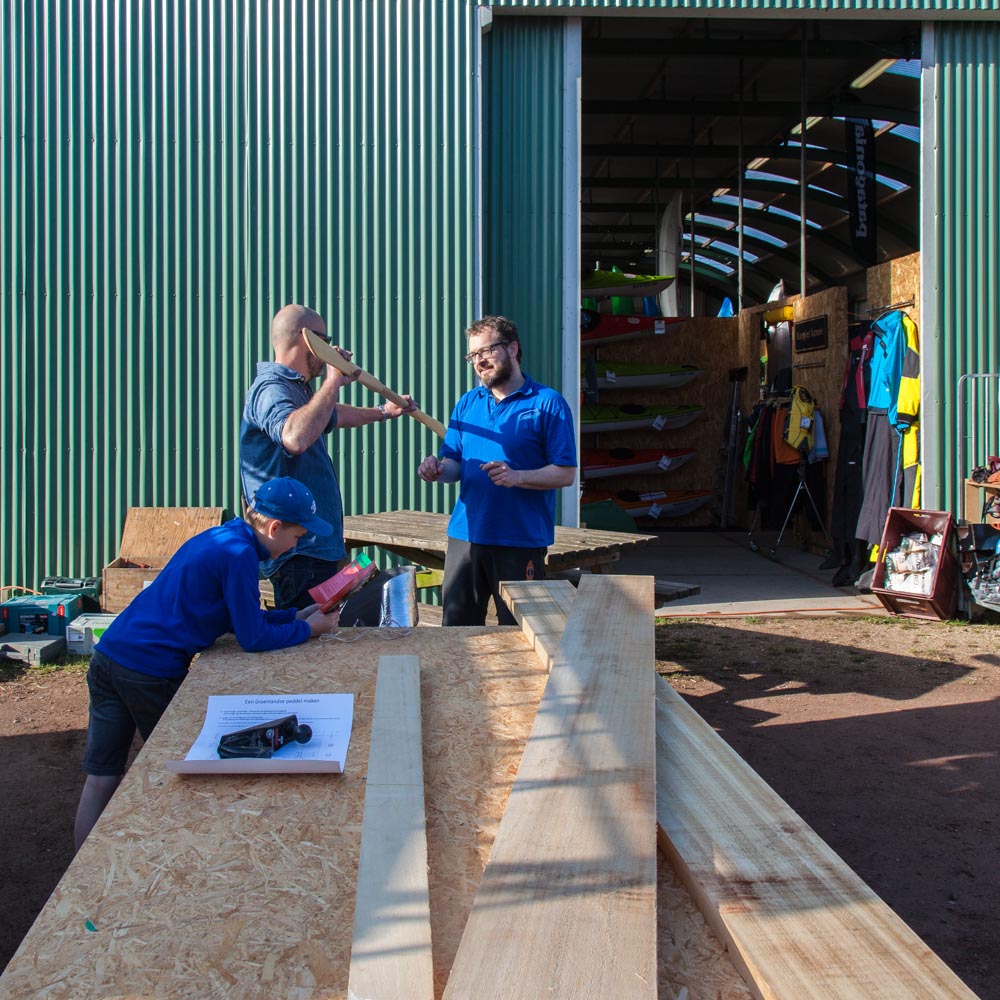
(151, 536)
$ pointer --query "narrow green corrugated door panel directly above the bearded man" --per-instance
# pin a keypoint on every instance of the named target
(523, 185)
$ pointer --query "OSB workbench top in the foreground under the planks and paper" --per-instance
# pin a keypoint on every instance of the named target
(244, 886)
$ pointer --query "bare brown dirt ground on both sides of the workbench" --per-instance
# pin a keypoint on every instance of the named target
(883, 734)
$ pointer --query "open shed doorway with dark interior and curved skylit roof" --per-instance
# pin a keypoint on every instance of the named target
(693, 163)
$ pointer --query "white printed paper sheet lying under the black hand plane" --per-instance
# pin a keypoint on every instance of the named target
(330, 716)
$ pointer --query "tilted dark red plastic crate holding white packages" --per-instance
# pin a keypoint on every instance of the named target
(943, 598)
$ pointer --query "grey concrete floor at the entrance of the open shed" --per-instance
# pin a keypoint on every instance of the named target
(737, 581)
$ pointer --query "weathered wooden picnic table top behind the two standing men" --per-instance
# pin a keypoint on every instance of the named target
(422, 538)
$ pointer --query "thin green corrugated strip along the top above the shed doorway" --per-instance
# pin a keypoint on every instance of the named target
(767, 7)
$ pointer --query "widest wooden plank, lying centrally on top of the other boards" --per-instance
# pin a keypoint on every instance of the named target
(567, 904)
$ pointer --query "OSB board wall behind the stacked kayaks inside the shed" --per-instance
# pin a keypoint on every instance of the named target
(710, 344)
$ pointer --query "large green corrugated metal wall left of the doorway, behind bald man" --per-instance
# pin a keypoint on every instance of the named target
(170, 174)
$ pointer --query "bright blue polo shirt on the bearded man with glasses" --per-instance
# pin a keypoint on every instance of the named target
(528, 429)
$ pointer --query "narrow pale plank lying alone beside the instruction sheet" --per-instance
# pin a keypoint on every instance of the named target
(391, 950)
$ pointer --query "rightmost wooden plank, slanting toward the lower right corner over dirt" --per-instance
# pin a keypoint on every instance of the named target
(796, 920)
